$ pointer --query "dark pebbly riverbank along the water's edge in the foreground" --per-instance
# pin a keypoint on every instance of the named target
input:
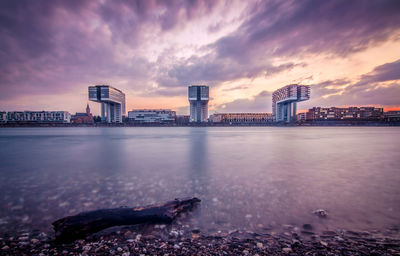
(168, 240)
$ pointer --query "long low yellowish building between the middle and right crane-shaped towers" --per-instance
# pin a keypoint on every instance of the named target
(241, 118)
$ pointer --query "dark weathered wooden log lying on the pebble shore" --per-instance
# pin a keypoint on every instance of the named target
(78, 226)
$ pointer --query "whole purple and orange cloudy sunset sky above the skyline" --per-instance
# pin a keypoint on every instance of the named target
(51, 51)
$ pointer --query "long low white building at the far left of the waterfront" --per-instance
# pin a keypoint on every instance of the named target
(39, 116)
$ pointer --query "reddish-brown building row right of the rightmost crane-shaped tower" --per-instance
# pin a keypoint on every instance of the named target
(334, 113)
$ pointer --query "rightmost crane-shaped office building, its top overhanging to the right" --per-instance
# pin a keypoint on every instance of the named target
(284, 101)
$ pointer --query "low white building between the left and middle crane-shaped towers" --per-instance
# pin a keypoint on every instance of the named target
(152, 115)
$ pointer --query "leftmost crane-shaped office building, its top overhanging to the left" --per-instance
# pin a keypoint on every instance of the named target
(112, 102)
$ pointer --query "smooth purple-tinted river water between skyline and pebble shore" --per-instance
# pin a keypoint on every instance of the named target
(247, 178)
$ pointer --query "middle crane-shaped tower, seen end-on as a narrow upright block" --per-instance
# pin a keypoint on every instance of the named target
(198, 98)
